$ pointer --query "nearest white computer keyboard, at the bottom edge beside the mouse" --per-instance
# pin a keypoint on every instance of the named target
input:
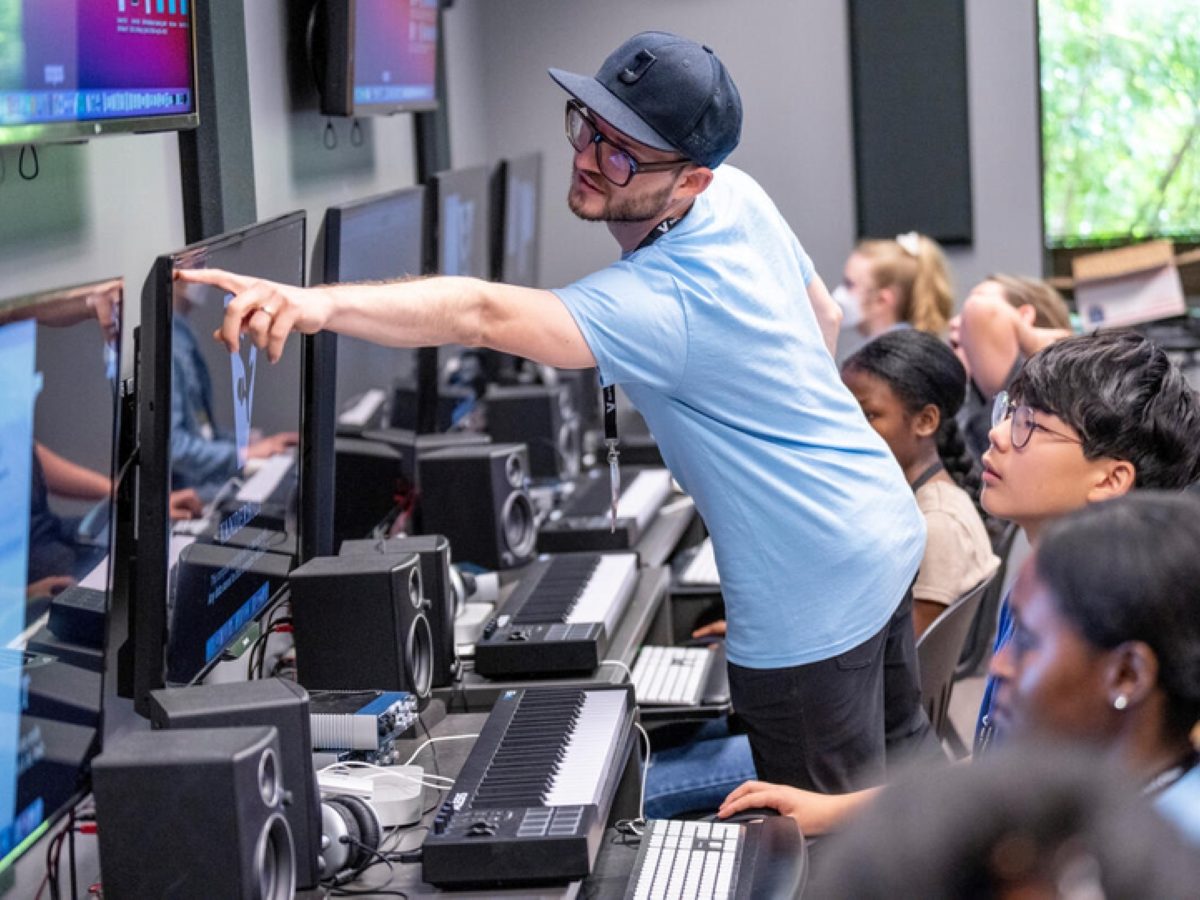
(687, 860)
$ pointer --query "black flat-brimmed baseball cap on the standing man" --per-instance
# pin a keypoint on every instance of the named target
(664, 92)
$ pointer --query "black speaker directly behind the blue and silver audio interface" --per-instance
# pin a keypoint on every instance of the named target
(361, 623)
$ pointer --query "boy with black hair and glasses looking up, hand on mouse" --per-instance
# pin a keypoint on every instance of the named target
(1125, 418)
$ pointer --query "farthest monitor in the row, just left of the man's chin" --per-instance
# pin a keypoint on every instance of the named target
(519, 193)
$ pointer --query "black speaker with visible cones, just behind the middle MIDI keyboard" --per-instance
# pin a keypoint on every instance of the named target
(476, 497)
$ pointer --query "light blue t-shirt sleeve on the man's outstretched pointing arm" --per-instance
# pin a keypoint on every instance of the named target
(634, 323)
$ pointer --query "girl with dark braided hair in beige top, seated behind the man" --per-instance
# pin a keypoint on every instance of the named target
(910, 386)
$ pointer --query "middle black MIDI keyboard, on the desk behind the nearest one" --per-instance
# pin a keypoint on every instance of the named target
(561, 617)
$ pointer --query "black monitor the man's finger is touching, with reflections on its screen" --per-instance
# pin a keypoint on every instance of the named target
(229, 427)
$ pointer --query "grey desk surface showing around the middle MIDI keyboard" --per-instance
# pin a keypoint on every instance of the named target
(640, 623)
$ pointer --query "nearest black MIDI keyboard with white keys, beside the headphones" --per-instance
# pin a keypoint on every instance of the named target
(532, 801)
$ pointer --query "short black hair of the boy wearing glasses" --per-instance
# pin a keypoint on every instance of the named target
(1125, 398)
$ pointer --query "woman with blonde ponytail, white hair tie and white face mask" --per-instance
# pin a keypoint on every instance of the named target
(903, 283)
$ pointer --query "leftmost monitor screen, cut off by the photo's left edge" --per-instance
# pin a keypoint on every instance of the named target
(59, 409)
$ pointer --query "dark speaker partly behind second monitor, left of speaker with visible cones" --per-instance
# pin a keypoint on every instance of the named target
(370, 482)
